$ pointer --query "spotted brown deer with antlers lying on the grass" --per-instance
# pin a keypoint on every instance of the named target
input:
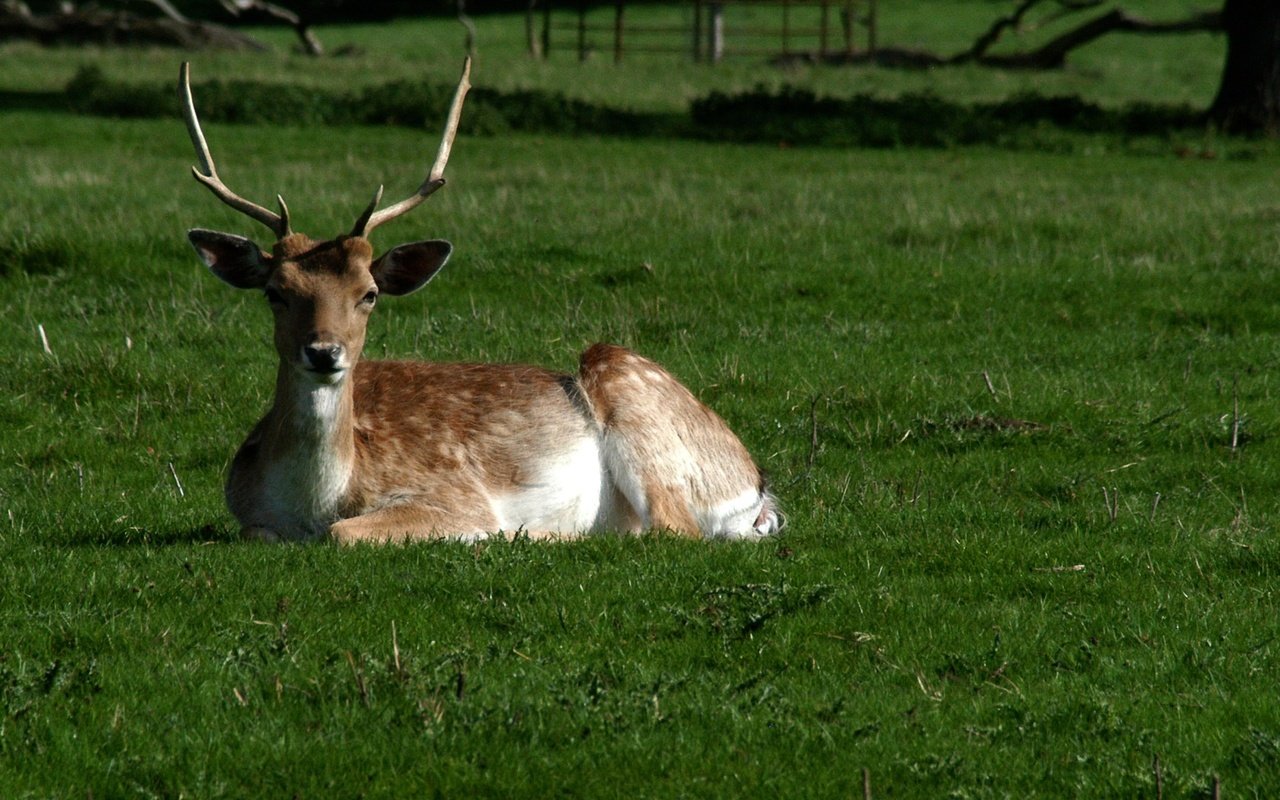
(363, 451)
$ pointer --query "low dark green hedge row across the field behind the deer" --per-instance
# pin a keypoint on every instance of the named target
(788, 117)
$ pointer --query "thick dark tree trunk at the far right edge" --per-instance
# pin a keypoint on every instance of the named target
(1249, 98)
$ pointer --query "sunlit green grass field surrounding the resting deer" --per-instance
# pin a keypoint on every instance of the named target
(1021, 409)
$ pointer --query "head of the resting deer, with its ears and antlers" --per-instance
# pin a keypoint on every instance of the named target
(321, 292)
